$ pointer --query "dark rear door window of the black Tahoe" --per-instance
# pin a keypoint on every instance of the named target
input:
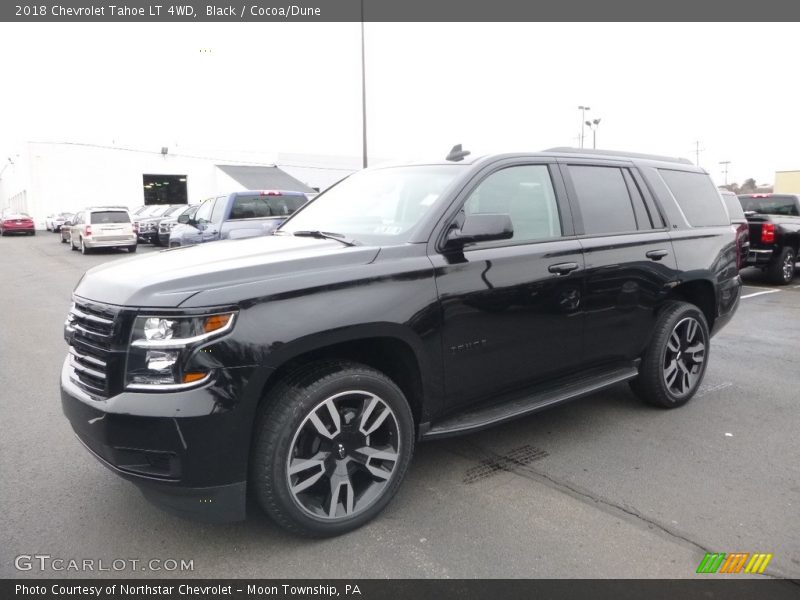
(603, 198)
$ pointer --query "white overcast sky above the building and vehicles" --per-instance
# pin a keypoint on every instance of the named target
(292, 87)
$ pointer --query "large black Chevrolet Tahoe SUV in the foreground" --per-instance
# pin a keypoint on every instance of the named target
(404, 303)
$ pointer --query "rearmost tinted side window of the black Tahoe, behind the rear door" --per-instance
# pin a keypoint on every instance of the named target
(697, 197)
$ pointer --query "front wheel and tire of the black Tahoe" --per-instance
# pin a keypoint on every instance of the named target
(298, 447)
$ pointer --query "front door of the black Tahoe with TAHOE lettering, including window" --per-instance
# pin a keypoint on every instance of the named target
(511, 308)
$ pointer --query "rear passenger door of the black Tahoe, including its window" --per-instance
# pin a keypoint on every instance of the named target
(629, 260)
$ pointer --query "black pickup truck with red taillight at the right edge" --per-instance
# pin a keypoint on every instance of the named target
(774, 221)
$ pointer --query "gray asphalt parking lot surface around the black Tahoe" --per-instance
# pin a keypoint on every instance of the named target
(601, 487)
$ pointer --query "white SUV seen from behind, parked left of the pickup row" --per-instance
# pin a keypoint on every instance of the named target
(102, 227)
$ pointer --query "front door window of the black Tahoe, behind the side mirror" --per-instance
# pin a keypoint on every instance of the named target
(526, 194)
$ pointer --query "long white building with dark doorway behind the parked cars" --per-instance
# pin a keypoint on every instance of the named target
(45, 177)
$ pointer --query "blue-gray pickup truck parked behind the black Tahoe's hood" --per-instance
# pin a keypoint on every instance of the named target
(236, 215)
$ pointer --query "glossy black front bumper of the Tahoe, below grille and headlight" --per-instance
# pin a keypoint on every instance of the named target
(185, 453)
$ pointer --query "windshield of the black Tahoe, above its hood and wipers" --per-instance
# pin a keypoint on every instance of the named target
(379, 206)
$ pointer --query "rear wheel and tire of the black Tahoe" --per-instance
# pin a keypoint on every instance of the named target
(673, 368)
